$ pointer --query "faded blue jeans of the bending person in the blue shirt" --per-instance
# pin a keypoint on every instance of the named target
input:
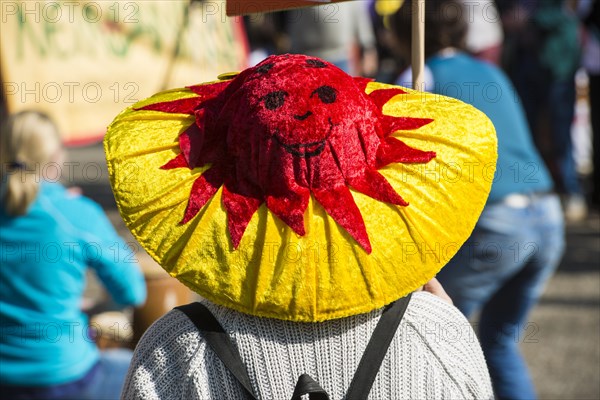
(501, 270)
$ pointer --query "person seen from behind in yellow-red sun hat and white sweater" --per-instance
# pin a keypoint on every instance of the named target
(305, 206)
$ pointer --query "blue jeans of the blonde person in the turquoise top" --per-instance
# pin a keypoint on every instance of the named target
(104, 381)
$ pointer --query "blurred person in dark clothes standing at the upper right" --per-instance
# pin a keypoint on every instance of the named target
(541, 55)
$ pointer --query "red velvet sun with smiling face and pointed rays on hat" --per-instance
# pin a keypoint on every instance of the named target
(287, 128)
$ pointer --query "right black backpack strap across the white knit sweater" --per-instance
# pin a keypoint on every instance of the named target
(376, 349)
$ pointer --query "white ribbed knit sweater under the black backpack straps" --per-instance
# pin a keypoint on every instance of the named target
(434, 355)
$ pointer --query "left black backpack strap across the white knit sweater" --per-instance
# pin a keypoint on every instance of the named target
(220, 343)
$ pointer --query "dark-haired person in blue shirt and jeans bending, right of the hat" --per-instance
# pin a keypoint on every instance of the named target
(519, 239)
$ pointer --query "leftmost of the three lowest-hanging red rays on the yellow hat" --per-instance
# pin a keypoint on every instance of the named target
(240, 209)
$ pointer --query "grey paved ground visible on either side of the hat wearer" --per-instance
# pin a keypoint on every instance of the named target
(562, 341)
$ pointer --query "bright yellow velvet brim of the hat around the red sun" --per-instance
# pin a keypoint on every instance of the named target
(324, 274)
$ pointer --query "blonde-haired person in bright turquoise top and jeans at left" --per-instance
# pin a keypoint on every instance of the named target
(49, 237)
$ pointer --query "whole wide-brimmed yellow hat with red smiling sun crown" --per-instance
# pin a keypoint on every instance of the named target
(294, 191)
